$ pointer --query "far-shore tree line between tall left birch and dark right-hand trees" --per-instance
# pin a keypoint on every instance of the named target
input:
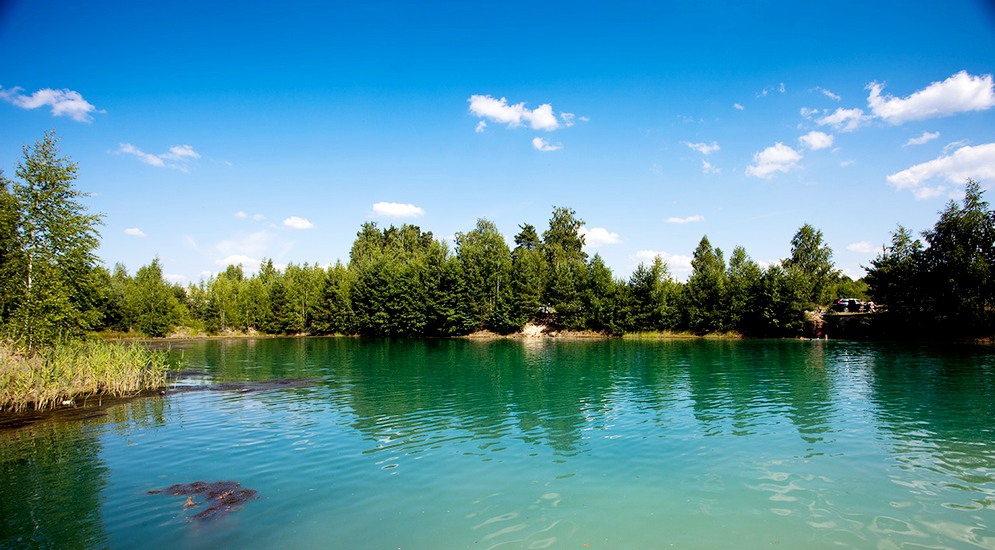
(402, 281)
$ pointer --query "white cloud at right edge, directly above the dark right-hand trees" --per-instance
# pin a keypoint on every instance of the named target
(967, 162)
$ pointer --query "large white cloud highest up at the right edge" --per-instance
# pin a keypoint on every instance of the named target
(961, 92)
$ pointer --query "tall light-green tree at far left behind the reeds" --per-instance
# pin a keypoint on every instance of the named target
(49, 260)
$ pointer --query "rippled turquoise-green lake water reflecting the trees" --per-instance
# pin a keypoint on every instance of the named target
(612, 444)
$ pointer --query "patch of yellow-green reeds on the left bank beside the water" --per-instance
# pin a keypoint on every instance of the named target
(58, 375)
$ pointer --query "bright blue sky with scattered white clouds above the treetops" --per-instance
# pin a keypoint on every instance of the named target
(210, 133)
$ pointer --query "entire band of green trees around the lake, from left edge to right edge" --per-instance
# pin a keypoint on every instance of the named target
(402, 281)
